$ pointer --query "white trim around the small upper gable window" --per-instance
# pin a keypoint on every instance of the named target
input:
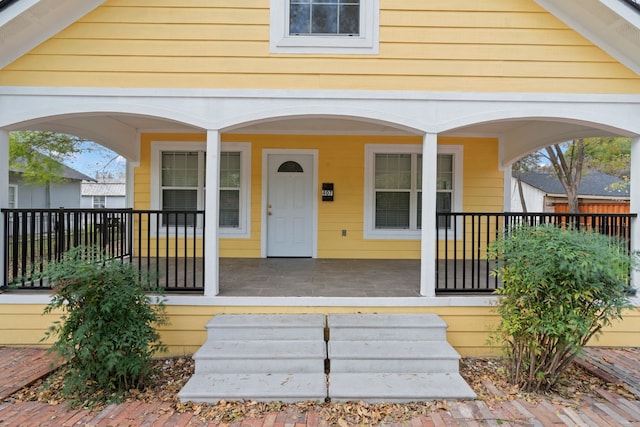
(366, 43)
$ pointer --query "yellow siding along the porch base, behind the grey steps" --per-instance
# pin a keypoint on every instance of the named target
(468, 331)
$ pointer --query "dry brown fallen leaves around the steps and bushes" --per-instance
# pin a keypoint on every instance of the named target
(485, 376)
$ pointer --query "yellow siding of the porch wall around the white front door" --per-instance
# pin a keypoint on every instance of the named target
(340, 160)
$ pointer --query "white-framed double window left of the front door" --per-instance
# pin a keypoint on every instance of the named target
(179, 184)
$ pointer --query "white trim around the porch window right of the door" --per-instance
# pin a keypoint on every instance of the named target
(370, 150)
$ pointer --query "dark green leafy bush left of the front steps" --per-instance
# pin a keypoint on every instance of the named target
(106, 334)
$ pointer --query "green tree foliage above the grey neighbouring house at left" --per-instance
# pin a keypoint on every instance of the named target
(38, 155)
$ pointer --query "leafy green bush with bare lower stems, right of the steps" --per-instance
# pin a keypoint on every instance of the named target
(560, 288)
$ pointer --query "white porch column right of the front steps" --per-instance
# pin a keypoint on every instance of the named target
(429, 237)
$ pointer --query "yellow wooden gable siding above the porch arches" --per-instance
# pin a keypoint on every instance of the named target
(450, 45)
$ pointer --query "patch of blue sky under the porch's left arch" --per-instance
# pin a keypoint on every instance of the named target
(96, 159)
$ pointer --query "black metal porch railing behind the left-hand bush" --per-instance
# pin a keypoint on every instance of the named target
(167, 244)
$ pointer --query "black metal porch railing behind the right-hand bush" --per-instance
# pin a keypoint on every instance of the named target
(461, 262)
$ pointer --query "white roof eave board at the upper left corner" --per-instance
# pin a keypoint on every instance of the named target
(28, 23)
